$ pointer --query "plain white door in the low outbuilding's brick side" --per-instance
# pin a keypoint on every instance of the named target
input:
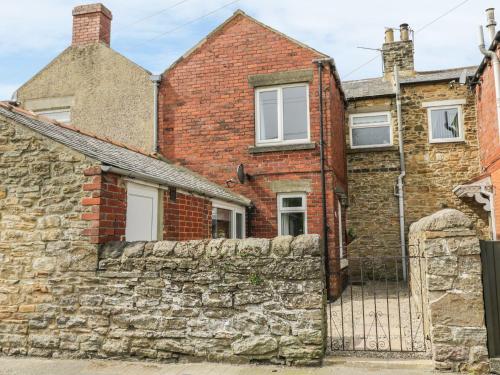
(142, 213)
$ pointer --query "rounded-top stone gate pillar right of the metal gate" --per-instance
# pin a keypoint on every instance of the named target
(452, 292)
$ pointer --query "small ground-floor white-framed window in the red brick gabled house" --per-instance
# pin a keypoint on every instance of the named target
(292, 214)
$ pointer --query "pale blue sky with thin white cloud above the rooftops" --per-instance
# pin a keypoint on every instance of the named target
(154, 33)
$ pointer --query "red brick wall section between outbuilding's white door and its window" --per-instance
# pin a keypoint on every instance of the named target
(187, 217)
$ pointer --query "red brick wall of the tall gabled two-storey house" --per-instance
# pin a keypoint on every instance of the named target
(206, 120)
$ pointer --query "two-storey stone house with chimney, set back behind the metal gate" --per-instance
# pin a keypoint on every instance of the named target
(439, 148)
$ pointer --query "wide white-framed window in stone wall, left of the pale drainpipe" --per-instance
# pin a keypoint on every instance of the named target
(370, 129)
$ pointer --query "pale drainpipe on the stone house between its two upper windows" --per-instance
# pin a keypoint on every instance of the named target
(400, 193)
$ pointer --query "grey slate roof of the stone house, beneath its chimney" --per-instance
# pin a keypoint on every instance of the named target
(373, 87)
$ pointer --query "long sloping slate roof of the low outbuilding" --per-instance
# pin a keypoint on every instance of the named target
(147, 167)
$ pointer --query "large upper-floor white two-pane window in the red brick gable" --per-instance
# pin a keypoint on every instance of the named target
(282, 114)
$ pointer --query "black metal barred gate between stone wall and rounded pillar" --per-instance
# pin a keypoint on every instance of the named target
(378, 305)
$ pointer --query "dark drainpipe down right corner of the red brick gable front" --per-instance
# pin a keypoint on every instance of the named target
(322, 168)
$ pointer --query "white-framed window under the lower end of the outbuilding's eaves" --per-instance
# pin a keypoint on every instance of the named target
(228, 221)
